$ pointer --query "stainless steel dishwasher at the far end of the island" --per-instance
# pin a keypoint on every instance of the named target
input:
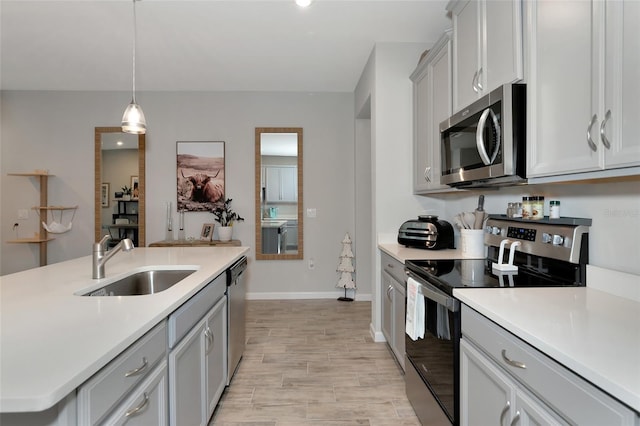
(236, 311)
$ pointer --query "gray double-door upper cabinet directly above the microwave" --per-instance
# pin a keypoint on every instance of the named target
(487, 47)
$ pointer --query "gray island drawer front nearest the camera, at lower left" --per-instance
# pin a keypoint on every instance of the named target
(105, 389)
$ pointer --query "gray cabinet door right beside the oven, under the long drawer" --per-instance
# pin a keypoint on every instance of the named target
(486, 394)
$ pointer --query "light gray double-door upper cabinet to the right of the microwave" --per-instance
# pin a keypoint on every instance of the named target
(583, 94)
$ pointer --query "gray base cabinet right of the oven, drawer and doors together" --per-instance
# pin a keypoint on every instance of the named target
(504, 380)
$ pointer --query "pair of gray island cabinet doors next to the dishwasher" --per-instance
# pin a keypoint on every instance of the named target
(197, 369)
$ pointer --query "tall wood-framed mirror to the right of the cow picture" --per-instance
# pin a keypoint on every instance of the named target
(278, 193)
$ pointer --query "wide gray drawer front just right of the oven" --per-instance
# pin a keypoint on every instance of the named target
(568, 394)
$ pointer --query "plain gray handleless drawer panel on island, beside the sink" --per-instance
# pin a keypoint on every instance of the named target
(188, 315)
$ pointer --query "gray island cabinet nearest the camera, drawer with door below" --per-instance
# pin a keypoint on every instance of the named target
(122, 379)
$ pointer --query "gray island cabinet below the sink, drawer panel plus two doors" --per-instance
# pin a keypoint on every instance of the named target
(198, 359)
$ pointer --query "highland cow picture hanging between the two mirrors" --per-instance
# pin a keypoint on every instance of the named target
(200, 175)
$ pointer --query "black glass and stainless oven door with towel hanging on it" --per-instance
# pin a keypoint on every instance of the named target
(434, 358)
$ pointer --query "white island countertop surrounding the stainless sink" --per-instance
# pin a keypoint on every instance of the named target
(52, 340)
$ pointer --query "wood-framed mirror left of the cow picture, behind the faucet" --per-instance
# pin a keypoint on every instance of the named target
(119, 162)
